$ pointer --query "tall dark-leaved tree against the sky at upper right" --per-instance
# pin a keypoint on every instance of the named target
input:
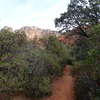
(79, 14)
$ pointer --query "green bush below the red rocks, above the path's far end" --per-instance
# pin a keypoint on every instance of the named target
(62, 51)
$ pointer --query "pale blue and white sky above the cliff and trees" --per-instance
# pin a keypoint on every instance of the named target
(39, 13)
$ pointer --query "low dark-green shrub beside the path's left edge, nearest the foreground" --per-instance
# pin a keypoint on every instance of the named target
(38, 87)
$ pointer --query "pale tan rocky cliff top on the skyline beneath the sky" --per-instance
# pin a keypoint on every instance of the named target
(37, 33)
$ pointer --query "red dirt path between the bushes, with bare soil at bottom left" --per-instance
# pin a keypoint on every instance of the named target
(62, 88)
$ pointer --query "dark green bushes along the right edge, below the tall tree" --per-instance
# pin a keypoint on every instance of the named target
(88, 80)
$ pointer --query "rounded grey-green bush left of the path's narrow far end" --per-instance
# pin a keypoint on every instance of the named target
(41, 62)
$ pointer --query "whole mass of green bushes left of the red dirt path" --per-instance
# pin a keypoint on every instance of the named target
(27, 68)
